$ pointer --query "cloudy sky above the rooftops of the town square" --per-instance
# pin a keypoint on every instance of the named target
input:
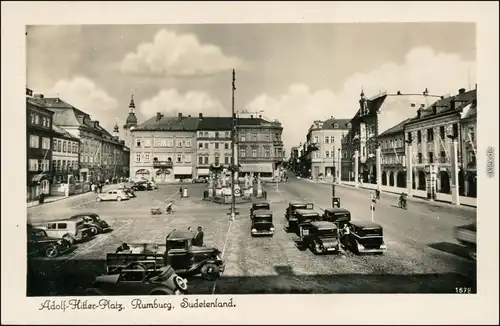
(296, 73)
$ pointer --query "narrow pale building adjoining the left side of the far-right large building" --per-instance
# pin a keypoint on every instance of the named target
(393, 157)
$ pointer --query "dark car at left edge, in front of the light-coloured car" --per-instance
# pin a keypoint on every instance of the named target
(40, 244)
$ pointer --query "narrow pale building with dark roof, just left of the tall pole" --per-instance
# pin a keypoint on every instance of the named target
(213, 142)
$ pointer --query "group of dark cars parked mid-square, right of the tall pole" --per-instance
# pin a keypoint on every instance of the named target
(322, 232)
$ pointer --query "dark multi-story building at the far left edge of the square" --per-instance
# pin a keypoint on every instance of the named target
(38, 147)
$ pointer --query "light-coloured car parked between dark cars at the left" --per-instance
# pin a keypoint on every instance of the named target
(71, 231)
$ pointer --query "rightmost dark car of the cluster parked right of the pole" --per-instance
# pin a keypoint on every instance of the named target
(365, 237)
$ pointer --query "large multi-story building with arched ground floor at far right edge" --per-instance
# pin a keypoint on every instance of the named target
(429, 134)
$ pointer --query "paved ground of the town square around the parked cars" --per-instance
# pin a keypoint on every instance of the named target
(422, 256)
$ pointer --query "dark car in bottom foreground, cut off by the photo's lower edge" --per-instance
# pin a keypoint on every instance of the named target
(137, 278)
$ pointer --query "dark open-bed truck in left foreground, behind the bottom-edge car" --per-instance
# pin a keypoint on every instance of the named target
(178, 252)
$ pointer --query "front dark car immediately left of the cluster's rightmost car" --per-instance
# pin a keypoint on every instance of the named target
(320, 236)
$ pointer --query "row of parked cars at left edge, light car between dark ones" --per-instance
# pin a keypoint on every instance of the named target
(52, 239)
